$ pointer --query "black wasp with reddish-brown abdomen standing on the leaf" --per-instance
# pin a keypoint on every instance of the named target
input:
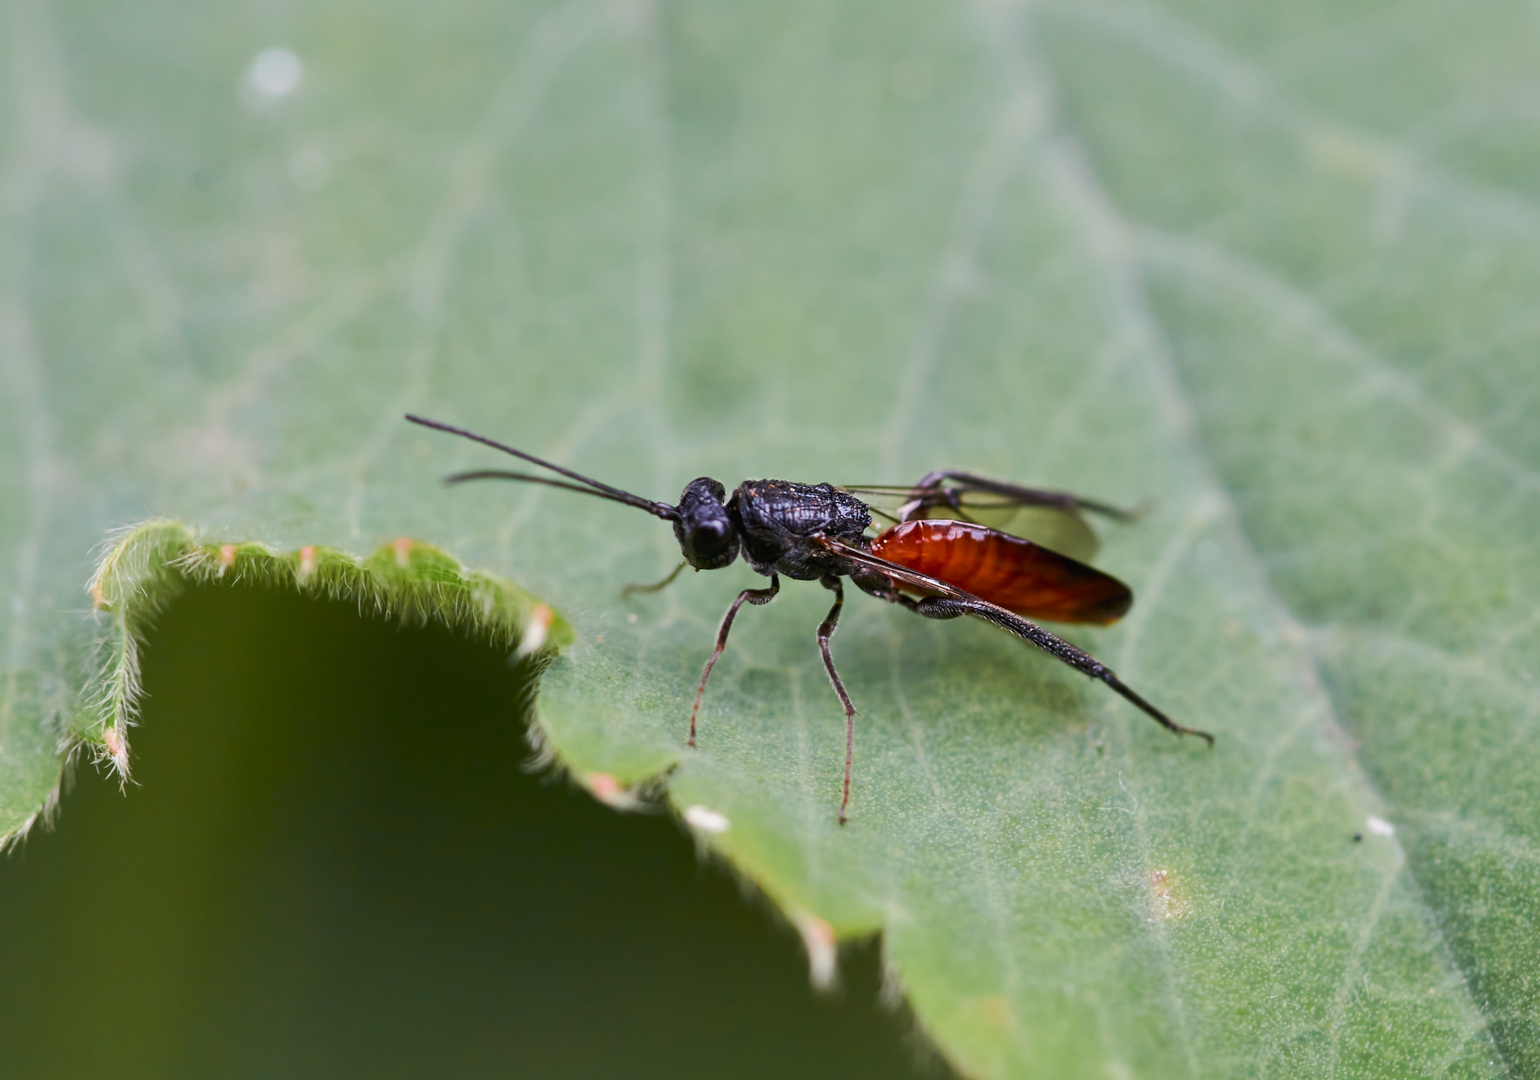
(937, 558)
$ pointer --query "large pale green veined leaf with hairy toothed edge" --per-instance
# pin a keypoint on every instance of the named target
(1270, 266)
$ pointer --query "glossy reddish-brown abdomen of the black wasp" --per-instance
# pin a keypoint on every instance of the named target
(1006, 571)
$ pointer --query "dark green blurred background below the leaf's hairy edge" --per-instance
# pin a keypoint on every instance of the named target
(300, 885)
